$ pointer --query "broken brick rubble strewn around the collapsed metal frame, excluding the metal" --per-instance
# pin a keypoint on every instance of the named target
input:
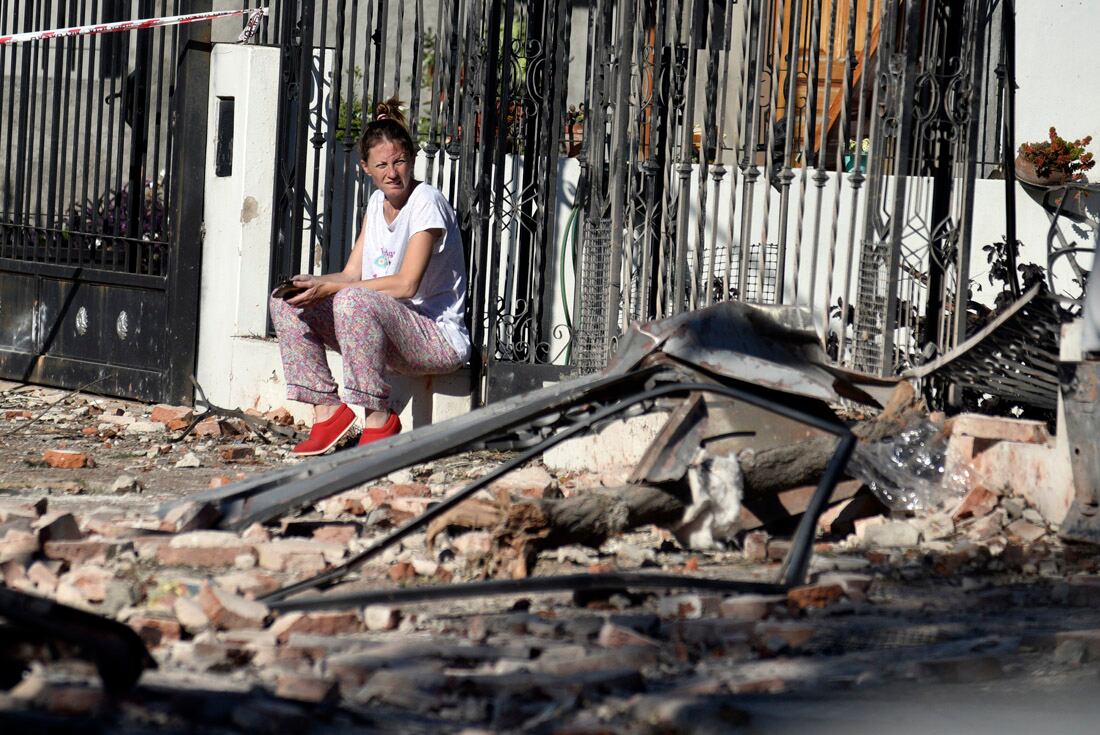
(983, 585)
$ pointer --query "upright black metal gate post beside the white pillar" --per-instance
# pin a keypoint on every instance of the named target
(189, 133)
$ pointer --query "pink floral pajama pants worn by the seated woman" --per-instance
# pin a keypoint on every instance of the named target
(373, 333)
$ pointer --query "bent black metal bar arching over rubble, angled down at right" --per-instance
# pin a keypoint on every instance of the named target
(801, 548)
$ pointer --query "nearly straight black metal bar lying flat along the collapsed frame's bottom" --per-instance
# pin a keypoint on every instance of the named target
(530, 586)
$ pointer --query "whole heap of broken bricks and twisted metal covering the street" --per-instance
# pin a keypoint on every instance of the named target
(478, 587)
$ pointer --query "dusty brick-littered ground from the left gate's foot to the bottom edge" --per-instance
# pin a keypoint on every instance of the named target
(918, 626)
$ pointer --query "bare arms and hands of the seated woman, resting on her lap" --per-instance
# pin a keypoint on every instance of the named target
(403, 284)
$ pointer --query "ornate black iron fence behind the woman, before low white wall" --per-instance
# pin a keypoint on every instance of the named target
(626, 160)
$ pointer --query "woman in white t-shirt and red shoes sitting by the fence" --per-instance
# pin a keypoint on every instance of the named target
(399, 304)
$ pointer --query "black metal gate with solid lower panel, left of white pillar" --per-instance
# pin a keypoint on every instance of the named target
(103, 142)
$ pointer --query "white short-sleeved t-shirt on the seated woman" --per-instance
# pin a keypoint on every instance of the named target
(443, 292)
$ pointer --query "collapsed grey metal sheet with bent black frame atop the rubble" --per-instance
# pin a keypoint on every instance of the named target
(752, 355)
